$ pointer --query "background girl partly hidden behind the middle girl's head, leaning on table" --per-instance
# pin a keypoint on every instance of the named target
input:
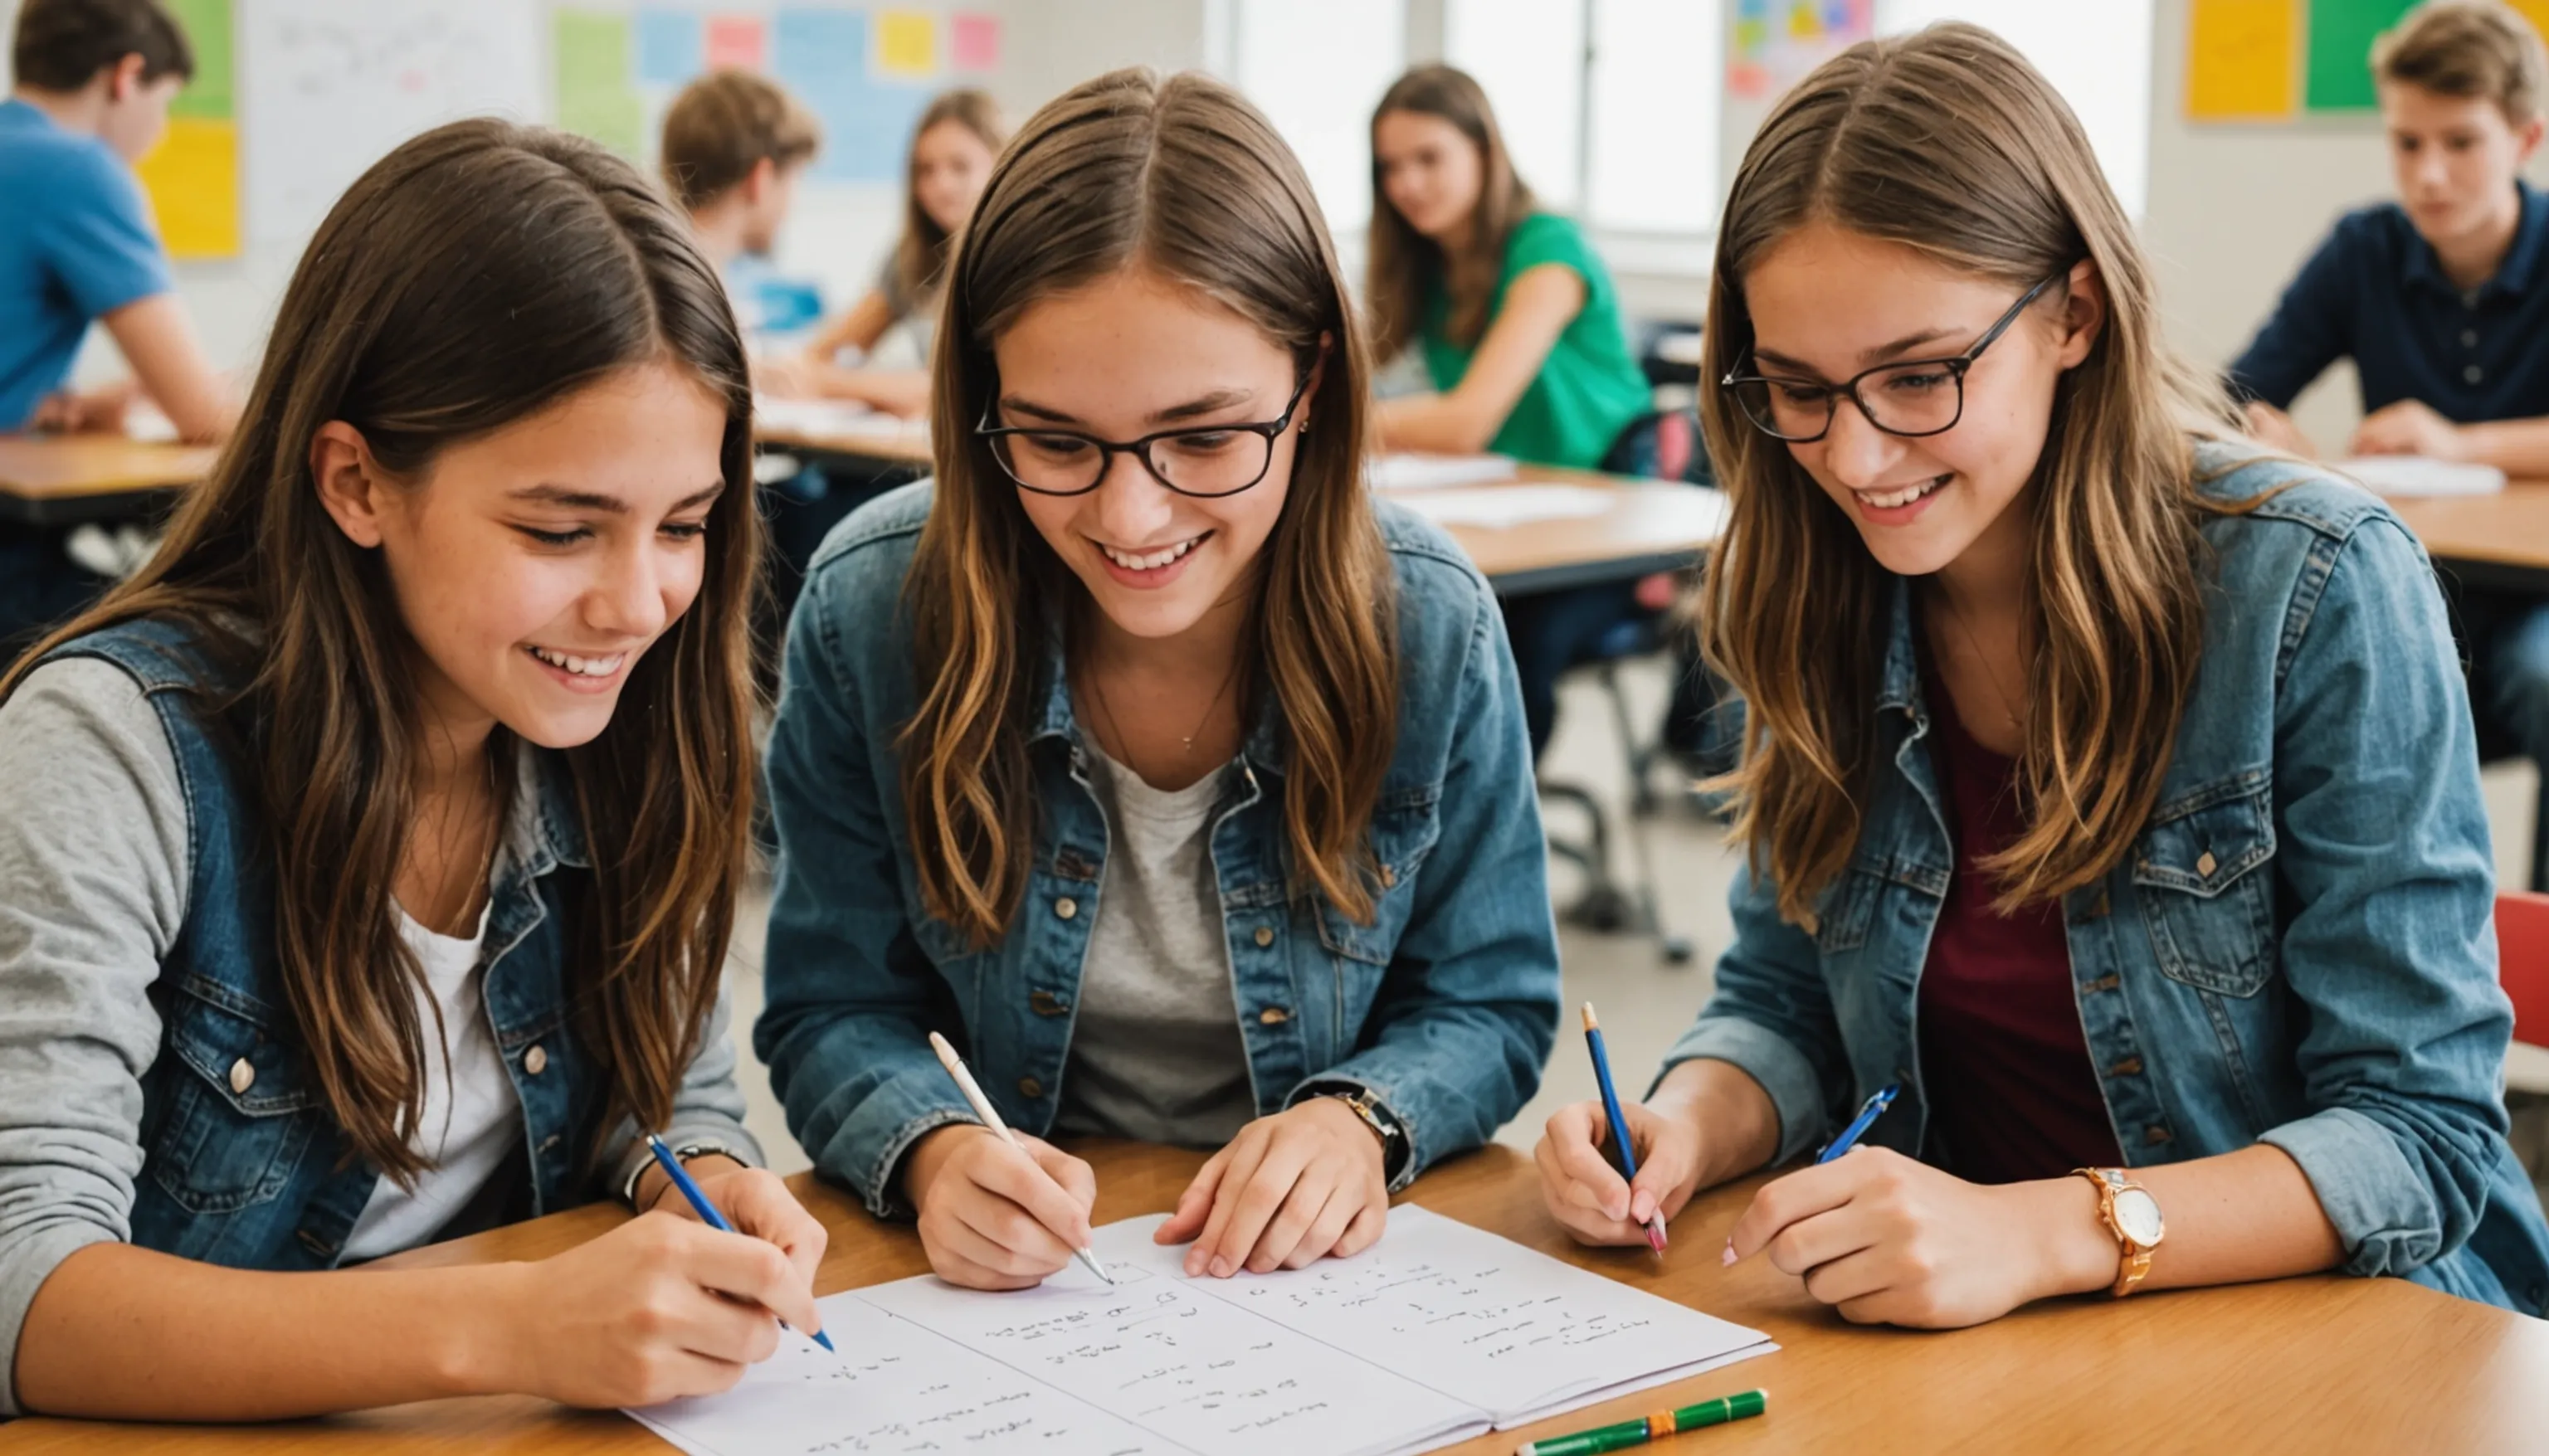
(952, 154)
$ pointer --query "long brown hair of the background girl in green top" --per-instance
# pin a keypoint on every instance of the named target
(1403, 261)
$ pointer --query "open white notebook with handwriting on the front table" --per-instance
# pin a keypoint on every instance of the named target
(1436, 1335)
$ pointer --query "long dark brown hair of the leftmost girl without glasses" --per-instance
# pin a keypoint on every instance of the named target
(468, 282)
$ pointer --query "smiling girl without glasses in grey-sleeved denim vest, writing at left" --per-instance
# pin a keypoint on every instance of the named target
(371, 855)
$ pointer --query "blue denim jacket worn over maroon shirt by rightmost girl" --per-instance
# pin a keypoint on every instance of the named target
(2300, 947)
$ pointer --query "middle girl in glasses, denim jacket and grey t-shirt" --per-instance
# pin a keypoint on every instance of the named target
(1143, 756)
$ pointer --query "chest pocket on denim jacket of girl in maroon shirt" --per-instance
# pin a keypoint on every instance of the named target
(2206, 886)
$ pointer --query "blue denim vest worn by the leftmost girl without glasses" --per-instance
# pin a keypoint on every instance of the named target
(251, 1172)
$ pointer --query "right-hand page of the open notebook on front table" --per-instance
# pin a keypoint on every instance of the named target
(1490, 1322)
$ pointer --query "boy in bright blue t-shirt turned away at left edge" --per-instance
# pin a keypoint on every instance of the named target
(78, 246)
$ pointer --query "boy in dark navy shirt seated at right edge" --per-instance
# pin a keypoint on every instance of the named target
(2443, 305)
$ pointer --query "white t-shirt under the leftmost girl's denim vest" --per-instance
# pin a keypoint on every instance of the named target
(473, 1116)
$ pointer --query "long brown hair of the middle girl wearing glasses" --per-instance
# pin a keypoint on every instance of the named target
(1184, 180)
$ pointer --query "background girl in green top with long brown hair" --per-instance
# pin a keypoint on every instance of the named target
(1520, 330)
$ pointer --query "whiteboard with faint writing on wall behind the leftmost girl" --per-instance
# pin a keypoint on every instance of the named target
(333, 85)
